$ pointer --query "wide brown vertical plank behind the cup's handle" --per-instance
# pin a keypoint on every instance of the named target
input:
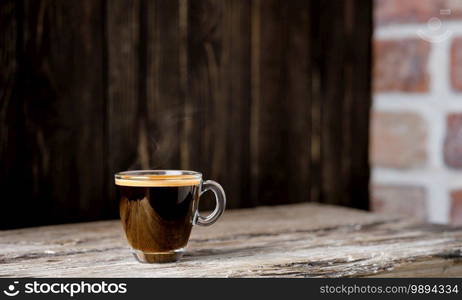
(219, 87)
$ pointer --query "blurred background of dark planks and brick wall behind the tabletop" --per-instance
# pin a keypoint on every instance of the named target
(353, 103)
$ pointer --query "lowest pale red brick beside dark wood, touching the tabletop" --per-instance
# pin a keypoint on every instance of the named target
(400, 200)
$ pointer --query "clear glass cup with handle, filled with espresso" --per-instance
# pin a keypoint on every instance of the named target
(158, 209)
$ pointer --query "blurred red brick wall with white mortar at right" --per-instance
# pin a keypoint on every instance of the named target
(416, 134)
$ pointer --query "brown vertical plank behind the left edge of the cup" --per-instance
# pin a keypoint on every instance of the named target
(123, 119)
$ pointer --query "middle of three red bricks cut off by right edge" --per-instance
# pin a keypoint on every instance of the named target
(453, 141)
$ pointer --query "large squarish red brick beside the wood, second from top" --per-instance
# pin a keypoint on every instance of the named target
(401, 65)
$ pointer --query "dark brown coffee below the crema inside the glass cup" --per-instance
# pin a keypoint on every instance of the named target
(157, 219)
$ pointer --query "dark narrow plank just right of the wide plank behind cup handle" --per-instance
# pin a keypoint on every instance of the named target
(271, 183)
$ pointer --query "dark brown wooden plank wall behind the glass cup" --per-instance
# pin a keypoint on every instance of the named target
(271, 98)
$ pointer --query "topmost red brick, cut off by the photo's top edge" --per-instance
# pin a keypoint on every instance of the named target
(415, 11)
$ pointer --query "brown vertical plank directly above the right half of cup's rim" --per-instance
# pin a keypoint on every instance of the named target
(165, 97)
